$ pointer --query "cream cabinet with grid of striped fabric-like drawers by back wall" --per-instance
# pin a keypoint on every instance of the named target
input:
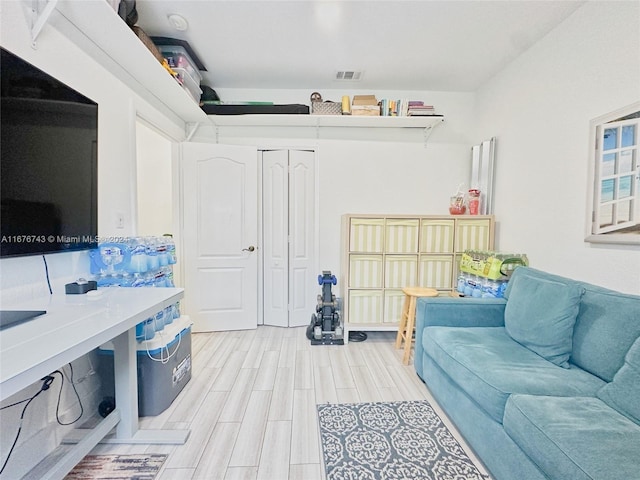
(381, 254)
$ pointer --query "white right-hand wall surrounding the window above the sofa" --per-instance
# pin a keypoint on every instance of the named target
(539, 108)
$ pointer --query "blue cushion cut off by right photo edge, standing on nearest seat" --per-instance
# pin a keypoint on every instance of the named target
(623, 393)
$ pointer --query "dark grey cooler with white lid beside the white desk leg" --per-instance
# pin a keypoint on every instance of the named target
(164, 367)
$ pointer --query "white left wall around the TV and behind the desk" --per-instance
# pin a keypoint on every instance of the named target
(24, 278)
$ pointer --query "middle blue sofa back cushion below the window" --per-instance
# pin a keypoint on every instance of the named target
(607, 325)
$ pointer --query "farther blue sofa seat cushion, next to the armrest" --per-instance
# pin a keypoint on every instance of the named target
(489, 366)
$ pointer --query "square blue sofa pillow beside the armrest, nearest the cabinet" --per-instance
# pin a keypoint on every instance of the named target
(541, 313)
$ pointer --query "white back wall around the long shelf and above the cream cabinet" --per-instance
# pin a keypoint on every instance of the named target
(370, 171)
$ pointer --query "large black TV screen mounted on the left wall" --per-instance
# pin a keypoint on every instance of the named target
(48, 163)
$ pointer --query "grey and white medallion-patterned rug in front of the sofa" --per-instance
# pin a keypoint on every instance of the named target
(397, 440)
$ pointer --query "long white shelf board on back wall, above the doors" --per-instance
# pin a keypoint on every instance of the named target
(297, 120)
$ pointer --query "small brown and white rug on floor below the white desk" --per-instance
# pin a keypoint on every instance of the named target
(116, 467)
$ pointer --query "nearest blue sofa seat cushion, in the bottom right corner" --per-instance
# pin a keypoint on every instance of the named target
(580, 438)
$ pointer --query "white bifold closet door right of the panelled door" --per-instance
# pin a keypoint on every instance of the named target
(288, 211)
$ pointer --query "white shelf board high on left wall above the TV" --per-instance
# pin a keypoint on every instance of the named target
(98, 30)
